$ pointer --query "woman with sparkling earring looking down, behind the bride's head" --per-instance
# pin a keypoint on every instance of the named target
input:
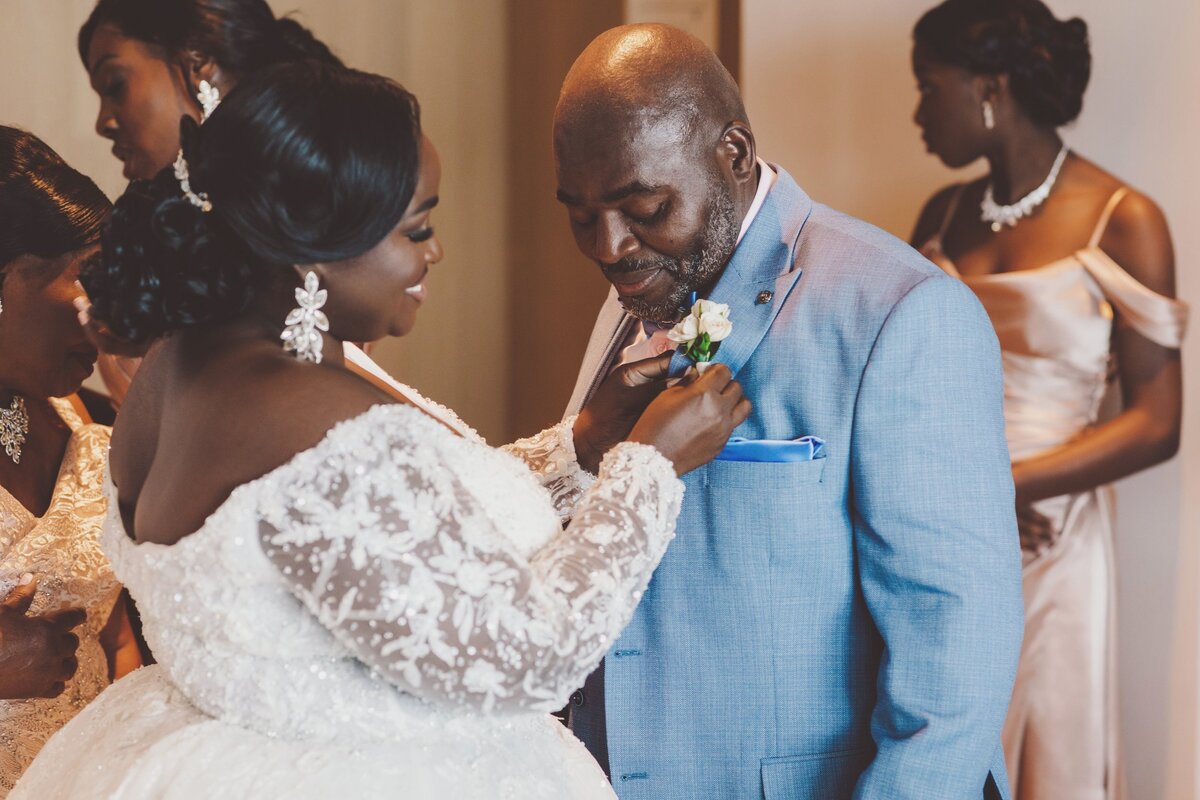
(153, 63)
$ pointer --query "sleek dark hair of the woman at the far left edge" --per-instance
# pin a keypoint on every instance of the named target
(47, 209)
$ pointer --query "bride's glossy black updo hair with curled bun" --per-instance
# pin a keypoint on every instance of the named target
(303, 164)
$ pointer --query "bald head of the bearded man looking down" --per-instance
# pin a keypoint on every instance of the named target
(656, 165)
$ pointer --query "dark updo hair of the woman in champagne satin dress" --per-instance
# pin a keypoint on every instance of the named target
(1047, 61)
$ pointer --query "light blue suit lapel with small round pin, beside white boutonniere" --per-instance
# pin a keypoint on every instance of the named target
(761, 274)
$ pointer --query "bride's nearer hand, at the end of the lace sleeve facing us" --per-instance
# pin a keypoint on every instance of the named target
(691, 423)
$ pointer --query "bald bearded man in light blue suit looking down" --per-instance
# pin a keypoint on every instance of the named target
(841, 617)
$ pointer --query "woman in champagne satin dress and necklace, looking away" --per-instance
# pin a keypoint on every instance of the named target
(1077, 272)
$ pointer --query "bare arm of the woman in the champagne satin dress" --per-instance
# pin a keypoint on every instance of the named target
(1148, 431)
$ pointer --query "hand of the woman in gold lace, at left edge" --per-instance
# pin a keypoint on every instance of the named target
(38, 654)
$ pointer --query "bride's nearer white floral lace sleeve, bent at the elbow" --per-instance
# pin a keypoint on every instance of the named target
(394, 555)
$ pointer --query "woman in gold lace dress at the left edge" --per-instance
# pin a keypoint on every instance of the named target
(52, 462)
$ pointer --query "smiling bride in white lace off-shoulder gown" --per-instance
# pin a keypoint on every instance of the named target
(347, 597)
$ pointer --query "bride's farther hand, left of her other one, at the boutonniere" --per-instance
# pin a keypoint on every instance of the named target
(615, 408)
